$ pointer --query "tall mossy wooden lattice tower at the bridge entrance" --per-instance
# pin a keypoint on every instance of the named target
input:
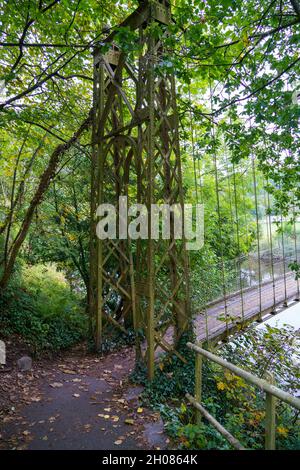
(141, 284)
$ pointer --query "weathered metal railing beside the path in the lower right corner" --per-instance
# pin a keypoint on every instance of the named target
(272, 393)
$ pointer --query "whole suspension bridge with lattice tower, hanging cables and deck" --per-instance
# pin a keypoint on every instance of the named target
(137, 152)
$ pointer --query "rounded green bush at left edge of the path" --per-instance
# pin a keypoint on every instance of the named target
(42, 310)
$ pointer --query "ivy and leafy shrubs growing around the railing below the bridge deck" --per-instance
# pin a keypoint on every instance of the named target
(238, 406)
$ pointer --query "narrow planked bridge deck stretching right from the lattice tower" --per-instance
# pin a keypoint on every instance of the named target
(216, 327)
